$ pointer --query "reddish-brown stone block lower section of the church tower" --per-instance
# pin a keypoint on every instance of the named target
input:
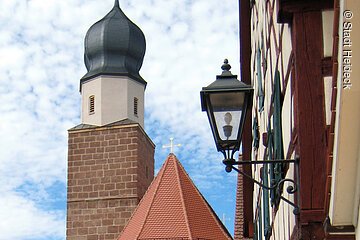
(109, 170)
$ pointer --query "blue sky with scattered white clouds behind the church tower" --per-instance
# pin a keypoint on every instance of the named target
(41, 63)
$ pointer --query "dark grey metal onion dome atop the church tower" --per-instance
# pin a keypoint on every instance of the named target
(114, 46)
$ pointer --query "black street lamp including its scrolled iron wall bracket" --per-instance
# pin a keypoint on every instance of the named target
(226, 102)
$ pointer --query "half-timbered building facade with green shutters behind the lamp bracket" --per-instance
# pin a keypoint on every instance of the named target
(300, 58)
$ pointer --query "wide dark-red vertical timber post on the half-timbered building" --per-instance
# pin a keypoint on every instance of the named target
(309, 94)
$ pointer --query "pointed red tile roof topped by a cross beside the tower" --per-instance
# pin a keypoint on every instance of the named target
(173, 208)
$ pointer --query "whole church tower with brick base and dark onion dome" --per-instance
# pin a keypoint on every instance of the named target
(110, 157)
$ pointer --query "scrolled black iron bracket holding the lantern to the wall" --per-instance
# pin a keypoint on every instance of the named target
(291, 189)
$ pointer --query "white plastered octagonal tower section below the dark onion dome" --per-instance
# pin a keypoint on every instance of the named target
(114, 100)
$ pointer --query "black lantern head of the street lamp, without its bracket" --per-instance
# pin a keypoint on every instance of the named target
(226, 101)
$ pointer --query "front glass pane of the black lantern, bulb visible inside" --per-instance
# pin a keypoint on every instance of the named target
(227, 108)
